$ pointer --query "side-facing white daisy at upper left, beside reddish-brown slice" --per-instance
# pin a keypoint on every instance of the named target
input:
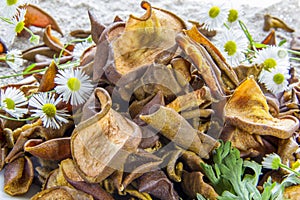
(16, 26)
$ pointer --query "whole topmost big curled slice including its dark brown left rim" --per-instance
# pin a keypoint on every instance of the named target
(136, 43)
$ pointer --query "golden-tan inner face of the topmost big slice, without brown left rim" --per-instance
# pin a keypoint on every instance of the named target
(145, 37)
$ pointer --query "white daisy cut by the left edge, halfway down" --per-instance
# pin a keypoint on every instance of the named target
(12, 100)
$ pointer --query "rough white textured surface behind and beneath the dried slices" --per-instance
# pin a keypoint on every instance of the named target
(72, 14)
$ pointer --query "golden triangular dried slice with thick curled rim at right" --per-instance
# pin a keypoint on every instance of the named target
(248, 110)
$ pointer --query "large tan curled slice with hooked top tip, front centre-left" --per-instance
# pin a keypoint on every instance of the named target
(101, 144)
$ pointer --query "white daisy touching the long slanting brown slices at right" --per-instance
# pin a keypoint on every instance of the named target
(232, 44)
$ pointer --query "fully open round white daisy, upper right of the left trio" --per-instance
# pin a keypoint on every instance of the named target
(74, 86)
